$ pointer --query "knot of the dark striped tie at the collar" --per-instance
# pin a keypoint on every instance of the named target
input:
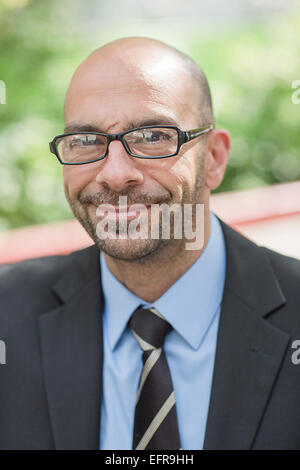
(149, 327)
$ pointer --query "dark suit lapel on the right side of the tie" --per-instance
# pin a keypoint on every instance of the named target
(249, 348)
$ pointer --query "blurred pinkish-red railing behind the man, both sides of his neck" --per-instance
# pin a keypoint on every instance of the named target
(237, 208)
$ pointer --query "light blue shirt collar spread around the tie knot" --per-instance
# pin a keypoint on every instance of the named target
(189, 305)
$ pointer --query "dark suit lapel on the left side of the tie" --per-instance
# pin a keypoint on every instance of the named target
(71, 343)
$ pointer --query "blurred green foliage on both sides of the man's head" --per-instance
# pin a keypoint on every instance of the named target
(250, 70)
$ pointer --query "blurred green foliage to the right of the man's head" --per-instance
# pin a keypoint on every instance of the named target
(251, 73)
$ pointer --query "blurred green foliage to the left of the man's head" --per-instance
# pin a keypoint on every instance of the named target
(37, 60)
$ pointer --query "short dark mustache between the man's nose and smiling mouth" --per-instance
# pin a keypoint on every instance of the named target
(133, 197)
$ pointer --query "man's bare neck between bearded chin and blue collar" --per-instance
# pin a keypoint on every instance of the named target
(150, 278)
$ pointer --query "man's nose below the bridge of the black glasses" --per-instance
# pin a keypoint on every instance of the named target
(119, 170)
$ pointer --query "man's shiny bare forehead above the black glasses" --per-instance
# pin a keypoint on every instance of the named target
(120, 88)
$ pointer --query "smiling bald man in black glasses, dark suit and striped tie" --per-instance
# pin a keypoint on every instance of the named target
(143, 342)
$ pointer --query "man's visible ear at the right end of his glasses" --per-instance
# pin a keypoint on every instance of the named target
(217, 154)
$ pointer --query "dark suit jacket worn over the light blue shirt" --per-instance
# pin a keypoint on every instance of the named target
(51, 385)
